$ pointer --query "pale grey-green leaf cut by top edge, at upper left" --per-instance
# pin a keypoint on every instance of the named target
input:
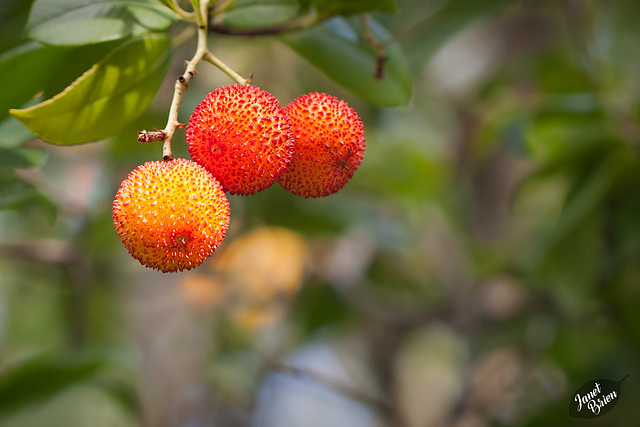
(78, 22)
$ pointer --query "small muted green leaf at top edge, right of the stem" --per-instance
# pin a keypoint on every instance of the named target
(256, 13)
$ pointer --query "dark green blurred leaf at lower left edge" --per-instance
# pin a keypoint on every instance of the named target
(40, 378)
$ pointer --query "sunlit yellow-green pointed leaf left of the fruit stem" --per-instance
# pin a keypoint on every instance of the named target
(98, 104)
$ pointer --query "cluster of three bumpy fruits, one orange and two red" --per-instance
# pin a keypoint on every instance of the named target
(173, 214)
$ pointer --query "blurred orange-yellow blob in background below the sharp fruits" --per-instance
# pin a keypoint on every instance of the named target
(252, 279)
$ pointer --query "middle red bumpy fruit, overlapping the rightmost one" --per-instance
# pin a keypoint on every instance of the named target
(240, 134)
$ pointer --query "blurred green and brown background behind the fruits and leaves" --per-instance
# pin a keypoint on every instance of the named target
(482, 264)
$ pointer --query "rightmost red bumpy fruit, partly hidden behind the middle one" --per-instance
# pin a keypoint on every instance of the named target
(328, 145)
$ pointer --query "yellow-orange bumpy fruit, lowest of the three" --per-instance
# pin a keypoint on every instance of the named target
(171, 215)
